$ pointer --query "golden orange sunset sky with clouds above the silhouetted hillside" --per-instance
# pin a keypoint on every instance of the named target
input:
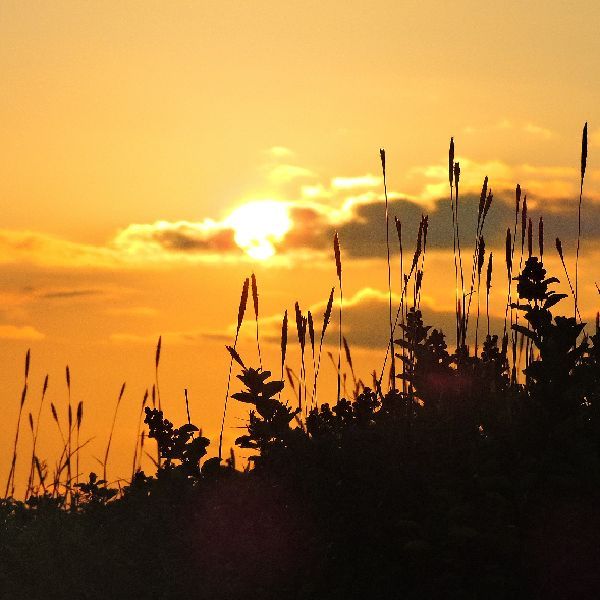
(154, 154)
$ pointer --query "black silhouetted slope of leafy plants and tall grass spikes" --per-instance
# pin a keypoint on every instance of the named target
(474, 474)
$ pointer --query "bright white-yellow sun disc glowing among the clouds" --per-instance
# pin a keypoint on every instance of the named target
(258, 226)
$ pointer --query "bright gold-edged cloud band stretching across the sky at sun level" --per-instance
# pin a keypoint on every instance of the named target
(352, 205)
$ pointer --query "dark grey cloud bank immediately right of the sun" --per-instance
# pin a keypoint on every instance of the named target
(365, 235)
